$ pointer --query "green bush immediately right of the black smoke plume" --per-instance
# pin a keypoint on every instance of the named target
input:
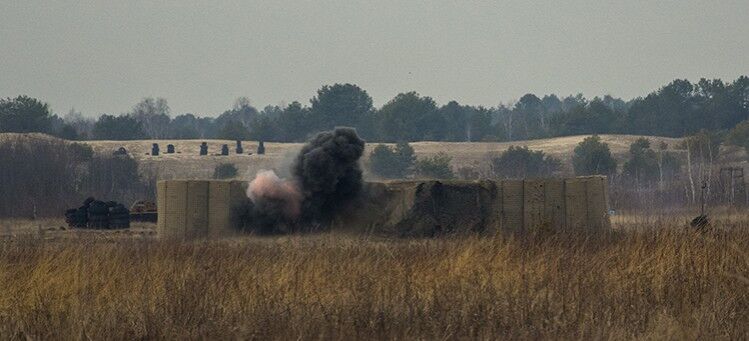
(392, 163)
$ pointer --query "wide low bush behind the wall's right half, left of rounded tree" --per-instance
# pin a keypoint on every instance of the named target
(521, 162)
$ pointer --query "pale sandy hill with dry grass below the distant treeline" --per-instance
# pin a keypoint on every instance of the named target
(187, 163)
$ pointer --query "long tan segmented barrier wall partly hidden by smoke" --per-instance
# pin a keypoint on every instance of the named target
(197, 208)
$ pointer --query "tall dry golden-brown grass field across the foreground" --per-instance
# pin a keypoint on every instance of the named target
(650, 282)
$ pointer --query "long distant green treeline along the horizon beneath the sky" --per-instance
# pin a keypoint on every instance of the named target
(678, 109)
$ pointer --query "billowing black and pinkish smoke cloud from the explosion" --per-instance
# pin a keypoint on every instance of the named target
(325, 175)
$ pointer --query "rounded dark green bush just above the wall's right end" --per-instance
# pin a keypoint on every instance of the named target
(593, 157)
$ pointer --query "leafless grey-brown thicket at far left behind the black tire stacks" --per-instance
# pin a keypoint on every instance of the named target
(43, 177)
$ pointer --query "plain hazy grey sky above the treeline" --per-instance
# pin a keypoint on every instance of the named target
(104, 56)
